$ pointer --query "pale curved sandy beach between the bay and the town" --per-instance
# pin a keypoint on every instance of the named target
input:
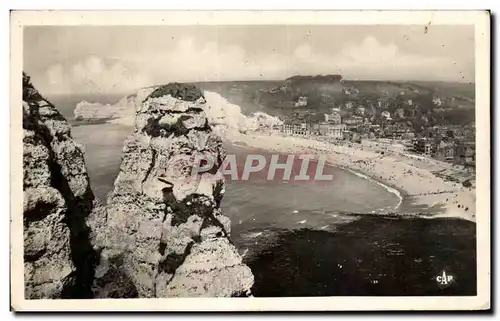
(429, 188)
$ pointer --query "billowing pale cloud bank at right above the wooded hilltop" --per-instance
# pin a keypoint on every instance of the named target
(370, 59)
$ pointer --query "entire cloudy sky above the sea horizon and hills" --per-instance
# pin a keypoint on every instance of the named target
(121, 59)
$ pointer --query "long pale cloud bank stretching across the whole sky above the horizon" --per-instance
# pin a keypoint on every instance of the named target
(189, 60)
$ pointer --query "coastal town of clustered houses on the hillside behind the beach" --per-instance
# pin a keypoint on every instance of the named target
(422, 125)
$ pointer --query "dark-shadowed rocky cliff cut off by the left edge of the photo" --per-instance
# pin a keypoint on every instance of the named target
(58, 258)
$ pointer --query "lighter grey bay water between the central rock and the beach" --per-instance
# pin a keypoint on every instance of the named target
(258, 204)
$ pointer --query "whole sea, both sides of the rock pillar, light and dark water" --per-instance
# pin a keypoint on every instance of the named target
(342, 237)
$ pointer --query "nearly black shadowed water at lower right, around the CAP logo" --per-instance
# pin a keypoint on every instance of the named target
(370, 256)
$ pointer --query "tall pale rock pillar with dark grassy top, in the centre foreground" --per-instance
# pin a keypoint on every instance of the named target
(164, 234)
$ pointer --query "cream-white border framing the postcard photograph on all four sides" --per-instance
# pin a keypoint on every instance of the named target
(481, 21)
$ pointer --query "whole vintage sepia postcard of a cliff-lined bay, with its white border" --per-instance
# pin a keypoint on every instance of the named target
(250, 161)
